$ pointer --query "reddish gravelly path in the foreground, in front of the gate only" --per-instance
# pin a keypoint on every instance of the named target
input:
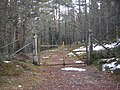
(88, 80)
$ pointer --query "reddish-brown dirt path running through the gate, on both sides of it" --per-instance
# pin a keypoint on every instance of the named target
(91, 79)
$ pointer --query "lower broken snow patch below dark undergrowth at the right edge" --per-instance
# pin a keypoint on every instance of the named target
(110, 66)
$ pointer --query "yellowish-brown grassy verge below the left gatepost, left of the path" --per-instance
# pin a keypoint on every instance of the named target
(15, 69)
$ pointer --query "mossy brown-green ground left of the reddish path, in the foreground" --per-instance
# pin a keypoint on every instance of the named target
(25, 74)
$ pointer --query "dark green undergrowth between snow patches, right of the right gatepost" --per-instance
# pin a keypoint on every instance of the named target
(104, 54)
